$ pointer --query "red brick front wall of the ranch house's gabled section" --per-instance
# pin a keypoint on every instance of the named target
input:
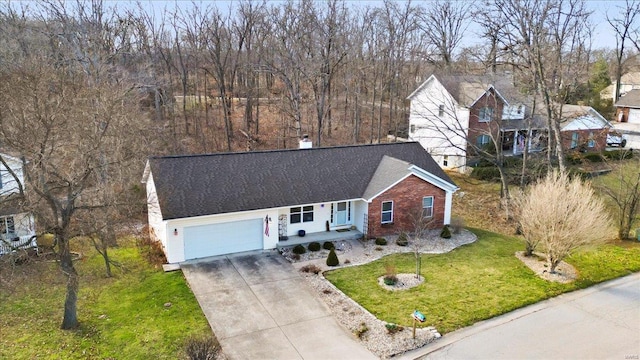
(407, 197)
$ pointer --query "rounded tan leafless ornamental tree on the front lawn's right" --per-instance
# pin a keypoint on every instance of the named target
(562, 214)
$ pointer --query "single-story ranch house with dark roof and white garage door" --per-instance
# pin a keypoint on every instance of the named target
(214, 204)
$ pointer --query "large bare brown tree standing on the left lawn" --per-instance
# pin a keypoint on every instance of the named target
(69, 113)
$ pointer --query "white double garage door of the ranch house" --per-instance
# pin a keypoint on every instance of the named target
(224, 238)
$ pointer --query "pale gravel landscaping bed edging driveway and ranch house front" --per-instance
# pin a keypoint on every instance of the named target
(377, 338)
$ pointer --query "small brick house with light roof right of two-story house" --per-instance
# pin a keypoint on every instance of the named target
(583, 129)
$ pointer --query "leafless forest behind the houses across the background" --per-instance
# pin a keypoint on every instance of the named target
(256, 75)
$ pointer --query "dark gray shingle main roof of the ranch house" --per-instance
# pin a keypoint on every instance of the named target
(196, 185)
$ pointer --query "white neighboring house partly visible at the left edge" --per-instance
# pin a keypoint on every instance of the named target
(17, 228)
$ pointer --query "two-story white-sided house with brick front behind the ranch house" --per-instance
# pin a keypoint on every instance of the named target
(450, 115)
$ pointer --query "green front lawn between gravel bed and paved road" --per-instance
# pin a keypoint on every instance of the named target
(474, 282)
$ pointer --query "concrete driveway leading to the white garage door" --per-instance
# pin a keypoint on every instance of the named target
(260, 307)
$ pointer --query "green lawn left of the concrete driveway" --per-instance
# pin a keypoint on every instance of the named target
(120, 317)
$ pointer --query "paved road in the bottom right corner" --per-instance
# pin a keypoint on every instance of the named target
(602, 322)
